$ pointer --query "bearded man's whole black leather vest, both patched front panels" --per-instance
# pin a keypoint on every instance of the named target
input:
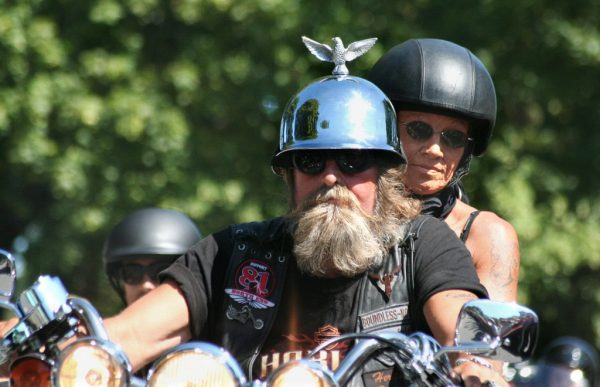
(254, 283)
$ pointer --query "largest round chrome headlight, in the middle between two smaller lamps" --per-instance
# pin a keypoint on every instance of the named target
(196, 364)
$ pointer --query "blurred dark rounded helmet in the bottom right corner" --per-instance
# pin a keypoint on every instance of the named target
(571, 353)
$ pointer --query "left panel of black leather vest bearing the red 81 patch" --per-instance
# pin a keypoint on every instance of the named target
(254, 283)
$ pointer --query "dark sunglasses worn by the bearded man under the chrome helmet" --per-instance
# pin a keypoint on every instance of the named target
(312, 162)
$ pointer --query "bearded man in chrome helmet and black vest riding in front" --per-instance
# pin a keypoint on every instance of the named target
(351, 255)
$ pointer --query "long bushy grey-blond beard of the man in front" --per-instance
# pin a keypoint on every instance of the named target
(333, 236)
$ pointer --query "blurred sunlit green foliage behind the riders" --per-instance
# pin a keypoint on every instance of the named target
(108, 106)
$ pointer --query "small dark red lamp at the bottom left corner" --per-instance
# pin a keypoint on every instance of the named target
(30, 370)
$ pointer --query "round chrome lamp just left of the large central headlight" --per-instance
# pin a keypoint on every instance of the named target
(91, 362)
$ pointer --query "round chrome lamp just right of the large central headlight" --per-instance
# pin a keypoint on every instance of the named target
(303, 372)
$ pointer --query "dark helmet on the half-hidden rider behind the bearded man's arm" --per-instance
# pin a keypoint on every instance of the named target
(150, 232)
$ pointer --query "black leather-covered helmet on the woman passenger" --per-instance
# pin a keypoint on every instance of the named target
(442, 77)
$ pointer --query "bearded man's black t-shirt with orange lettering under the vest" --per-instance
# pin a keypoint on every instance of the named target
(314, 309)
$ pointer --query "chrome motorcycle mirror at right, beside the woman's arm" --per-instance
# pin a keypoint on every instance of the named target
(509, 330)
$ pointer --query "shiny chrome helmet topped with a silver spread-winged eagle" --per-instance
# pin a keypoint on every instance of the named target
(338, 112)
